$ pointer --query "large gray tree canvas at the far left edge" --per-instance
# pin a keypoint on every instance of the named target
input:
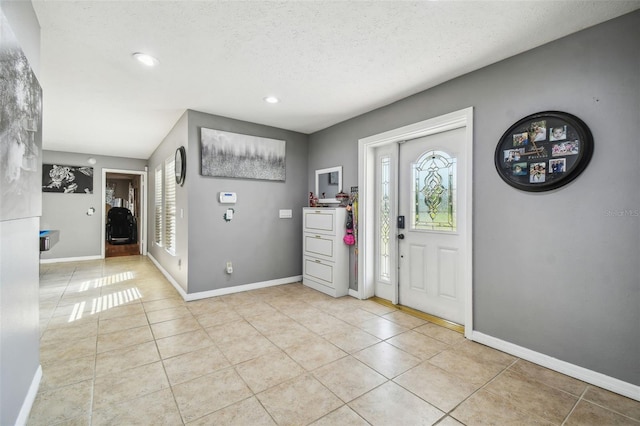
(20, 131)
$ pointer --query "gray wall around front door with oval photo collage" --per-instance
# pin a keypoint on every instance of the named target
(556, 272)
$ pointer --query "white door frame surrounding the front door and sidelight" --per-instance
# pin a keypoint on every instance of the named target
(367, 211)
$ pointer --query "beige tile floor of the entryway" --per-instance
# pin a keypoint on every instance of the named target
(120, 347)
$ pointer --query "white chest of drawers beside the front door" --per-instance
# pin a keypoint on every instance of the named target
(325, 258)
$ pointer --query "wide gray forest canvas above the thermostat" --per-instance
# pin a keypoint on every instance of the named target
(233, 155)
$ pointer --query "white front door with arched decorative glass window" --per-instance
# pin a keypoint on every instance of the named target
(432, 247)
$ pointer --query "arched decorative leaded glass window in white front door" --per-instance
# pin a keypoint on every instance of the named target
(434, 192)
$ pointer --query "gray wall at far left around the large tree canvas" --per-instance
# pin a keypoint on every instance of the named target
(19, 269)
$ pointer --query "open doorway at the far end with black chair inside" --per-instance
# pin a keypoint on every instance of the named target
(124, 214)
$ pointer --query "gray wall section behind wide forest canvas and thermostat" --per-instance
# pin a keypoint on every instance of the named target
(261, 246)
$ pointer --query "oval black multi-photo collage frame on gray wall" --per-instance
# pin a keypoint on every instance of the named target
(544, 151)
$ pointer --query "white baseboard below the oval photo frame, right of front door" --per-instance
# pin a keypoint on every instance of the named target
(589, 376)
